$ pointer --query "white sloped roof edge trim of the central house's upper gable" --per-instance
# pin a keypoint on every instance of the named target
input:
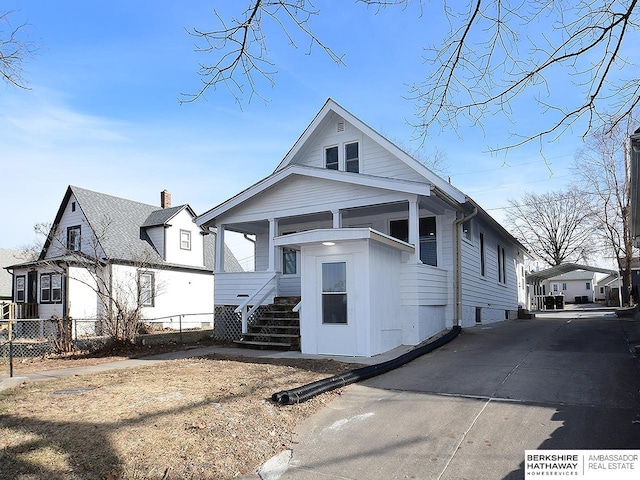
(332, 106)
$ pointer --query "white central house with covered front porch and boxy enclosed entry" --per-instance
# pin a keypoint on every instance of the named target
(382, 251)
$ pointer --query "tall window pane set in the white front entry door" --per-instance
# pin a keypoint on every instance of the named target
(334, 293)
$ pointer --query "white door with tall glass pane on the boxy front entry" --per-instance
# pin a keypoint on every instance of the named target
(335, 319)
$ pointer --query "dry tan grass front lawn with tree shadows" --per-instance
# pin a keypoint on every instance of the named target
(207, 418)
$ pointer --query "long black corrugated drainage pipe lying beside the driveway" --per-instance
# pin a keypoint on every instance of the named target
(305, 392)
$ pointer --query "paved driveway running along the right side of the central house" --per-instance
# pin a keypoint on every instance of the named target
(470, 409)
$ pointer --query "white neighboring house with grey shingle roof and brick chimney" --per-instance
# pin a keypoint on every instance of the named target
(157, 252)
